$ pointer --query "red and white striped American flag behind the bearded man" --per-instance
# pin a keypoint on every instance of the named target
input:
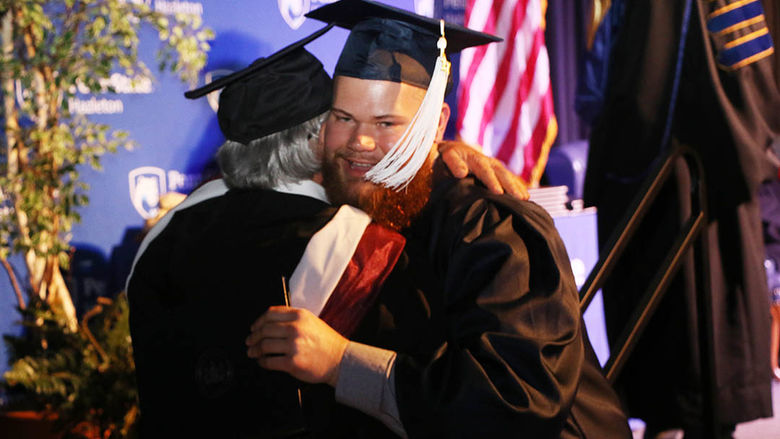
(505, 98)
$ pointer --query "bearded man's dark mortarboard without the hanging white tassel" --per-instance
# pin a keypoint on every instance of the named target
(392, 44)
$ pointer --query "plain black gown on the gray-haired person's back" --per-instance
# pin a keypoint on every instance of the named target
(193, 295)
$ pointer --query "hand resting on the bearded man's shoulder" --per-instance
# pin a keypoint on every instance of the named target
(462, 158)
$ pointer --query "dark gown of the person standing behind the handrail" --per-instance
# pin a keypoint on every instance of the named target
(729, 118)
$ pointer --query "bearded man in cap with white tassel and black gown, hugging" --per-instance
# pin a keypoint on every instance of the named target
(477, 332)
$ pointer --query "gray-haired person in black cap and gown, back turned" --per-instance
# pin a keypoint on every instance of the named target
(203, 272)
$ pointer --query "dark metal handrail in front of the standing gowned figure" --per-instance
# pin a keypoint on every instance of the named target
(692, 236)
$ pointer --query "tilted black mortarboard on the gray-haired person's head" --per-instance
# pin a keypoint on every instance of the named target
(272, 94)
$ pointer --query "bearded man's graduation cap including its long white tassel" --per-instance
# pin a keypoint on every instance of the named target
(391, 44)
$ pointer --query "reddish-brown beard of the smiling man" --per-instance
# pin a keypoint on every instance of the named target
(390, 208)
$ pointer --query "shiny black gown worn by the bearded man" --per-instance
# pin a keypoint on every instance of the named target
(484, 315)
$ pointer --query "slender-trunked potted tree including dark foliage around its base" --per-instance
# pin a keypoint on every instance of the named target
(48, 50)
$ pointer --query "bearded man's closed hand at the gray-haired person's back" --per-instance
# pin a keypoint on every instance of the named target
(295, 341)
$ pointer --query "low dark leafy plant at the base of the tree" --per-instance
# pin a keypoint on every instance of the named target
(85, 377)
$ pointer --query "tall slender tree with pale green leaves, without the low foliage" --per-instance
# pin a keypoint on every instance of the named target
(49, 49)
